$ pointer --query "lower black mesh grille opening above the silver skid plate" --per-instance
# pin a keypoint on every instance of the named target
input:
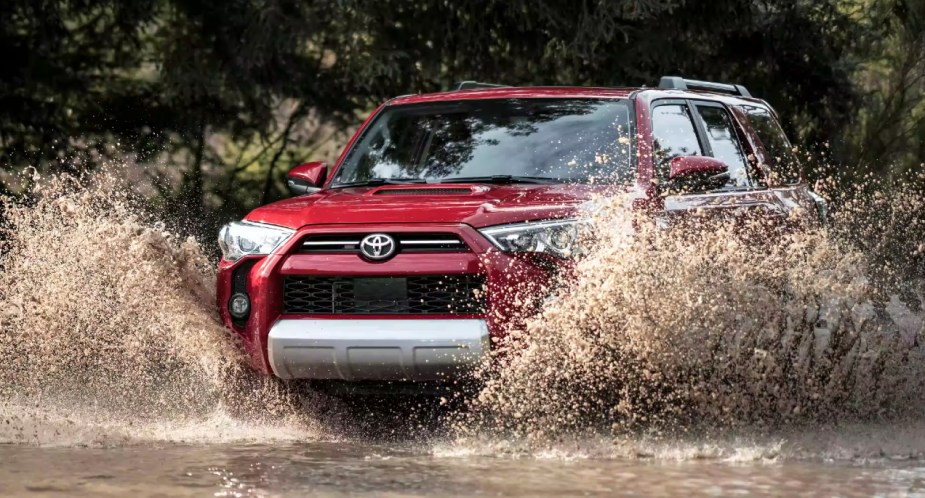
(412, 295)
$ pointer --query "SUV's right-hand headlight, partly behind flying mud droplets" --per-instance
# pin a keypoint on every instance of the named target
(559, 238)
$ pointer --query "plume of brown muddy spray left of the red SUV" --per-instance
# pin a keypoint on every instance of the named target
(108, 331)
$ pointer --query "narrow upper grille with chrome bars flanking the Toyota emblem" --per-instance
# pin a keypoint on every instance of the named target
(407, 242)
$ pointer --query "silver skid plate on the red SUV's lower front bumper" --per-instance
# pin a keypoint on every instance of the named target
(376, 349)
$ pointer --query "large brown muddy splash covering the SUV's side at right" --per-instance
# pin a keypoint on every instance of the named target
(713, 326)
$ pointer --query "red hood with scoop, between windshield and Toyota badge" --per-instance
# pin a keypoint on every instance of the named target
(477, 205)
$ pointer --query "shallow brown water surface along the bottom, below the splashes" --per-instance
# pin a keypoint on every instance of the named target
(358, 469)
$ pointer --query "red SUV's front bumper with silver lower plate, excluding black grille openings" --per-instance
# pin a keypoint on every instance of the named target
(512, 282)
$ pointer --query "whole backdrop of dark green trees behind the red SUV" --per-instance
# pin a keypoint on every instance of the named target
(230, 93)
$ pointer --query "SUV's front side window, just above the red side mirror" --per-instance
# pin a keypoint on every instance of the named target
(673, 135)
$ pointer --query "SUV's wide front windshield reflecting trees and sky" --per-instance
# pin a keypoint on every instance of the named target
(574, 140)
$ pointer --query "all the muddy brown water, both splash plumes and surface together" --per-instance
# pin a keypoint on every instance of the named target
(788, 370)
